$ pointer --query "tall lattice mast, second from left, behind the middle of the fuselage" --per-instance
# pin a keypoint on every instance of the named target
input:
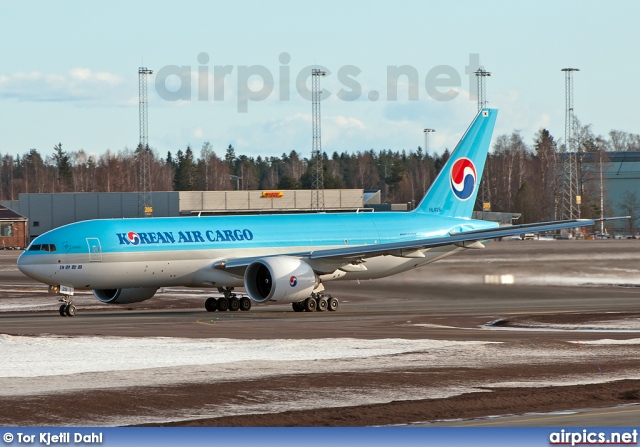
(317, 196)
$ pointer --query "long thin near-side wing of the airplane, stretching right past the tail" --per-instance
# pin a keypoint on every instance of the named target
(365, 251)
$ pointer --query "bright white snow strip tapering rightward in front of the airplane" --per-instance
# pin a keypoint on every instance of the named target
(57, 355)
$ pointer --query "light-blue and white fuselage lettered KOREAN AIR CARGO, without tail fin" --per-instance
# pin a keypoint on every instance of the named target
(183, 251)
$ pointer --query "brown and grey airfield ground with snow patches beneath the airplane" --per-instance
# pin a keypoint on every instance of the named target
(520, 333)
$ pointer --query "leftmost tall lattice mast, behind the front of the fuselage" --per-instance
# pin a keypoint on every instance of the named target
(145, 206)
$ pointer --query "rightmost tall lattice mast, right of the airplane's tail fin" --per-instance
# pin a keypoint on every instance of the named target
(570, 183)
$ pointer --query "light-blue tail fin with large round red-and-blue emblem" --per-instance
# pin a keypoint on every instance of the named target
(453, 193)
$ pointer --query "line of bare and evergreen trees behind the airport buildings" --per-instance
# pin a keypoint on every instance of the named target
(518, 177)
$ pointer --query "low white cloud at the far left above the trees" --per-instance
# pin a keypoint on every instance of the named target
(79, 84)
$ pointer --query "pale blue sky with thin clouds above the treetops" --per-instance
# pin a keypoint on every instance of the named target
(237, 72)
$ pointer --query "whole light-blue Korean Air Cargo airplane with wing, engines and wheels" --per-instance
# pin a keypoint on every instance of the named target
(276, 258)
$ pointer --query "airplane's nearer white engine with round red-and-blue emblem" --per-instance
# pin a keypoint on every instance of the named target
(280, 279)
